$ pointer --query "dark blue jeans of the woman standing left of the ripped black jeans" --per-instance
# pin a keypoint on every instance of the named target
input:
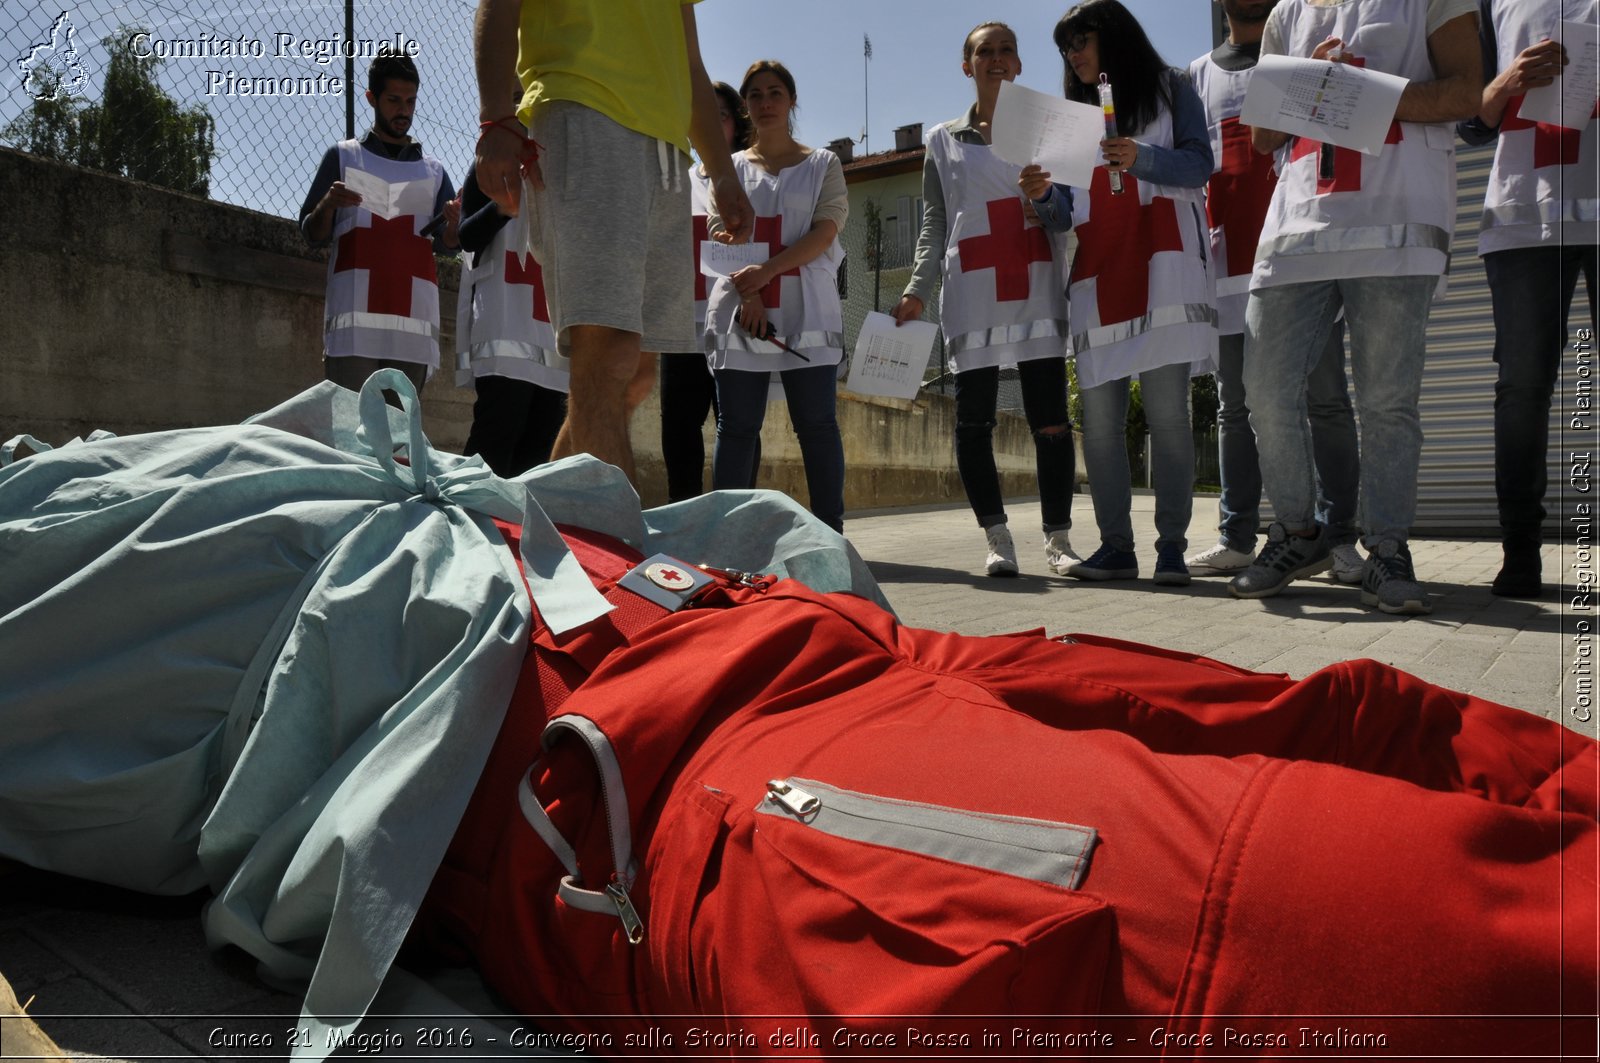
(742, 407)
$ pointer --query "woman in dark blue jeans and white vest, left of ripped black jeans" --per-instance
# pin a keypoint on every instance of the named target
(782, 315)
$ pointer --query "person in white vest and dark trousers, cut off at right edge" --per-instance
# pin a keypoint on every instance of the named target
(1542, 225)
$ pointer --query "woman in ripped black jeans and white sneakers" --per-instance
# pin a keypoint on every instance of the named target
(1002, 303)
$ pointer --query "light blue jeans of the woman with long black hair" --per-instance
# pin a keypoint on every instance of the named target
(1166, 395)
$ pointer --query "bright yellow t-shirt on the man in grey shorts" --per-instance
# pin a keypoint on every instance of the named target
(625, 58)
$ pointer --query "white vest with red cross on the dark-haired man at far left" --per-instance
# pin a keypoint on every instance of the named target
(383, 289)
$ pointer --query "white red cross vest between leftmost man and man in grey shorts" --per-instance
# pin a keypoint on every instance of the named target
(503, 323)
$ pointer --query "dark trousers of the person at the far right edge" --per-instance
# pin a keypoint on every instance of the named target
(1532, 291)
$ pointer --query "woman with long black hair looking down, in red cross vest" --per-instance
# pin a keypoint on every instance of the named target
(1142, 289)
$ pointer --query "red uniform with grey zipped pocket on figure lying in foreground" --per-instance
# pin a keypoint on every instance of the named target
(772, 822)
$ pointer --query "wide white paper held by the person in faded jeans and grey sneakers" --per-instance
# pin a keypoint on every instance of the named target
(1335, 103)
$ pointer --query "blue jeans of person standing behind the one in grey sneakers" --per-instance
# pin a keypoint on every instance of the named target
(1335, 446)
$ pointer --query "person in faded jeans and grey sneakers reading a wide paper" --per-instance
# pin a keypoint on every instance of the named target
(1367, 235)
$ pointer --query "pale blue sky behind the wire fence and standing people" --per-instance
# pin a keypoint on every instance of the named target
(268, 148)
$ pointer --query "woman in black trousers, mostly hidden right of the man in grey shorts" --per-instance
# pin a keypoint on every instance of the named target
(689, 391)
